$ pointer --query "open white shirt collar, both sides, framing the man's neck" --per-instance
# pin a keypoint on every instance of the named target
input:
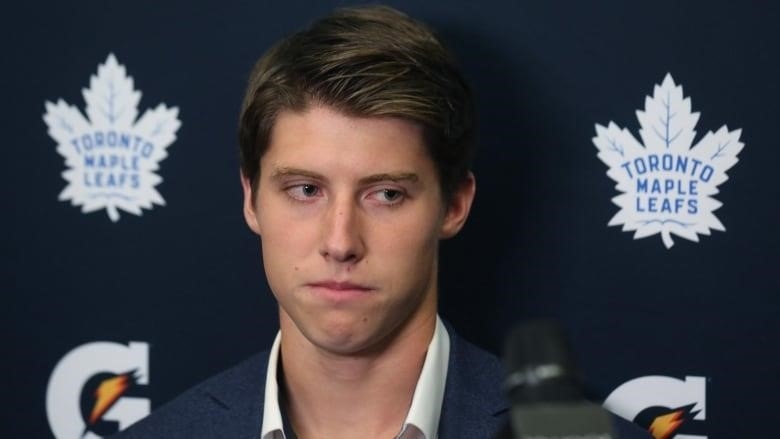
(422, 420)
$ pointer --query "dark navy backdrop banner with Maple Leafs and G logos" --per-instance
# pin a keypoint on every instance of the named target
(627, 186)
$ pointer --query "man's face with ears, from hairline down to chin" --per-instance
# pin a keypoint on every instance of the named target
(350, 212)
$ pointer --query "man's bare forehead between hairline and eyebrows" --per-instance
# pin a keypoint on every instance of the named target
(325, 139)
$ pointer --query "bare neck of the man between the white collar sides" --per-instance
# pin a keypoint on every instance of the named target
(364, 394)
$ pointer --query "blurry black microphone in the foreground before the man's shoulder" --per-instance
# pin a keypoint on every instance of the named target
(544, 388)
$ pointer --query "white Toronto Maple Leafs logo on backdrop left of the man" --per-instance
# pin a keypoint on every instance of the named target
(111, 156)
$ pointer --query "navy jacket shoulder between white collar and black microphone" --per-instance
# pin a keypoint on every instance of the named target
(474, 403)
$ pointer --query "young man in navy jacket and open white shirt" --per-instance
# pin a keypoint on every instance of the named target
(356, 138)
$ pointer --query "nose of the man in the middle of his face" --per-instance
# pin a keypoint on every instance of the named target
(342, 239)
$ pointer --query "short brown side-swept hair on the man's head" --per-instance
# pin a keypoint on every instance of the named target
(367, 61)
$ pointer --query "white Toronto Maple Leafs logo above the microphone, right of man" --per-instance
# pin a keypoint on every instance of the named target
(667, 185)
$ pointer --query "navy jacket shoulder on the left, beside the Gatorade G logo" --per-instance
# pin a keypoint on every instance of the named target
(229, 404)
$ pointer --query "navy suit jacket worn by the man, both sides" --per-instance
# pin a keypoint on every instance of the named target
(230, 405)
